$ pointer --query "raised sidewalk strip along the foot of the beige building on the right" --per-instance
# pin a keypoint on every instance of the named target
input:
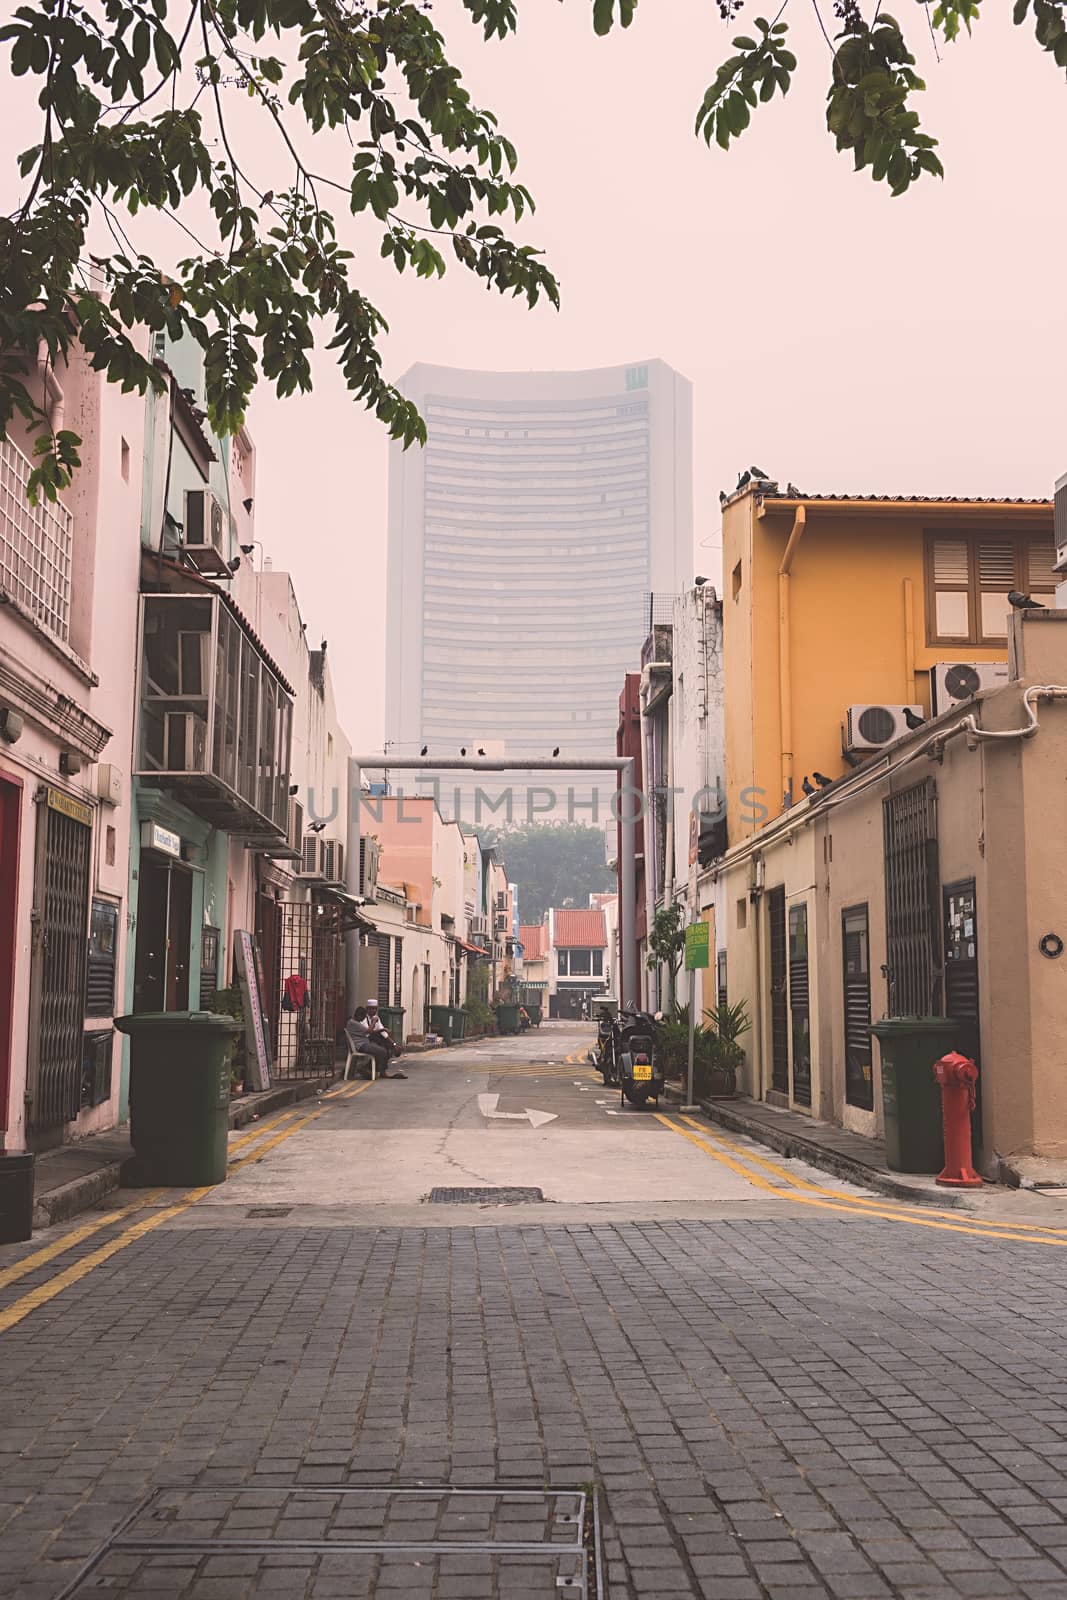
(825, 1145)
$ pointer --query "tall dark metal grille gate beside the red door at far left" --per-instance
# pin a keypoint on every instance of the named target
(62, 914)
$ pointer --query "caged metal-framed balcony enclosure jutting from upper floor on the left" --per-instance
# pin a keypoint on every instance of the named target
(215, 716)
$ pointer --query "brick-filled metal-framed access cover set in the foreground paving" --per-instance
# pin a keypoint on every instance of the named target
(522, 1543)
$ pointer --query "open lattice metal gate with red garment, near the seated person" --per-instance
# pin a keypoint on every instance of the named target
(313, 948)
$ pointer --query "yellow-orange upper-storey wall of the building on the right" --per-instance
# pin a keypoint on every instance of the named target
(858, 636)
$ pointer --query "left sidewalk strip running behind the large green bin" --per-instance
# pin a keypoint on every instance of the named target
(76, 1177)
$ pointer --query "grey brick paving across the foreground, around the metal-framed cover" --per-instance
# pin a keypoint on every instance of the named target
(780, 1409)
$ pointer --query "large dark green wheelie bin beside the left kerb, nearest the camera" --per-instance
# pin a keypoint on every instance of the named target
(180, 1095)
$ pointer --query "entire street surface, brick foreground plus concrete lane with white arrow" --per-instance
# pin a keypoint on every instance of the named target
(769, 1386)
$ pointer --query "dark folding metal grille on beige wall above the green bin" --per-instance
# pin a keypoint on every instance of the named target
(913, 902)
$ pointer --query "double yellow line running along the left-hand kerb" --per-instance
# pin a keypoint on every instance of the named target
(273, 1134)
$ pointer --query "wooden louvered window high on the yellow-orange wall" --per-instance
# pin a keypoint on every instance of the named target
(969, 578)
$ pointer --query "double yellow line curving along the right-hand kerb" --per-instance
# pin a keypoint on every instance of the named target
(799, 1191)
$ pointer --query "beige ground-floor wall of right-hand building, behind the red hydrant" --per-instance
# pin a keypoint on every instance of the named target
(1001, 806)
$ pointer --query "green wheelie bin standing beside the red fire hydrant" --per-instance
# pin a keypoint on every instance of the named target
(911, 1098)
